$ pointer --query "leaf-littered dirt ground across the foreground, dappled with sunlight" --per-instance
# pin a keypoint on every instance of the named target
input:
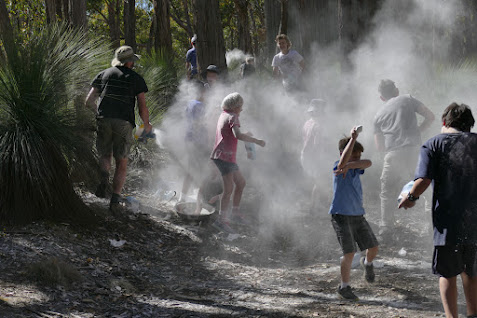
(165, 267)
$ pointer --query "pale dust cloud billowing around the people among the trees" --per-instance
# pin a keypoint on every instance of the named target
(406, 45)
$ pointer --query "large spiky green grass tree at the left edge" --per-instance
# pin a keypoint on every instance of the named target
(41, 132)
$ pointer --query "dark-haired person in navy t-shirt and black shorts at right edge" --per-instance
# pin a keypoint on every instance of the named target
(449, 161)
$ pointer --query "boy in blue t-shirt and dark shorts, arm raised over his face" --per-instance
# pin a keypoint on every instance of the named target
(347, 213)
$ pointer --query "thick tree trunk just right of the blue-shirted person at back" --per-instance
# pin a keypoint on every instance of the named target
(210, 35)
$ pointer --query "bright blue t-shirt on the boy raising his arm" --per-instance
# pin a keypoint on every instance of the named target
(347, 193)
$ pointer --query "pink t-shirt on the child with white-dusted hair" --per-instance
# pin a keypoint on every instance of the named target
(225, 147)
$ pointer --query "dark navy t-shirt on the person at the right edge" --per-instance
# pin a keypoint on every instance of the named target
(450, 160)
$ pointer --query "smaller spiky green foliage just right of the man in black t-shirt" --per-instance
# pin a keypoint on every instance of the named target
(161, 80)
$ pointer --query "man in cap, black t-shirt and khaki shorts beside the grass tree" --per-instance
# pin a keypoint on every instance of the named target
(117, 88)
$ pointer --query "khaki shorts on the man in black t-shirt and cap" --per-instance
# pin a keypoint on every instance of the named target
(114, 137)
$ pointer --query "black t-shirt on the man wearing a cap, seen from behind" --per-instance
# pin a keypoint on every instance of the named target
(118, 87)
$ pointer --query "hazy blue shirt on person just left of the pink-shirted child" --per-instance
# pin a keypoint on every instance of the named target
(196, 131)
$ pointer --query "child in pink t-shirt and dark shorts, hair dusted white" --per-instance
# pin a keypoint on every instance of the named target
(224, 156)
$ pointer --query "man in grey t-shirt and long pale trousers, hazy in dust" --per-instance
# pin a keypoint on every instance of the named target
(397, 133)
